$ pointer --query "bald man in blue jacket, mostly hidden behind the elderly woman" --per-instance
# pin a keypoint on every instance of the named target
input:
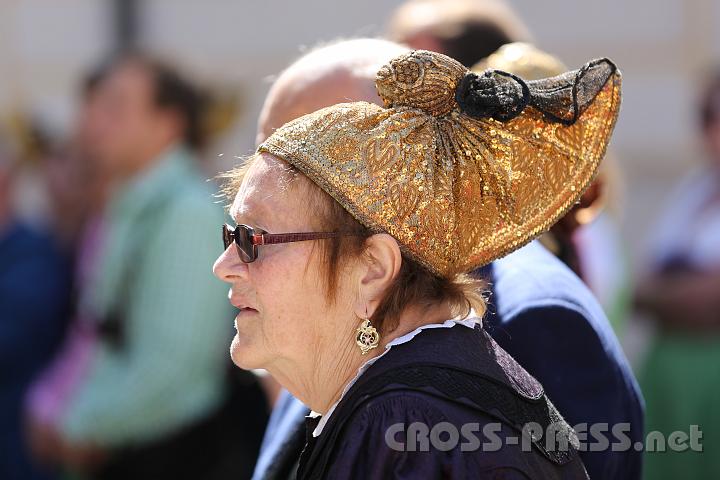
(538, 305)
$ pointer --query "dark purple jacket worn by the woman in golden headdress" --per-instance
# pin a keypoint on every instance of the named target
(446, 379)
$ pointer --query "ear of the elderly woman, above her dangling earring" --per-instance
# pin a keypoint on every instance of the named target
(381, 267)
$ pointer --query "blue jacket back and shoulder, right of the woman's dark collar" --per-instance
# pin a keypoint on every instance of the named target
(549, 321)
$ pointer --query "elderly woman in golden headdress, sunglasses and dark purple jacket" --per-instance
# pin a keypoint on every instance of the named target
(356, 227)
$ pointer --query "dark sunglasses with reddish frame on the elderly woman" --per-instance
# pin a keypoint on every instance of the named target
(247, 239)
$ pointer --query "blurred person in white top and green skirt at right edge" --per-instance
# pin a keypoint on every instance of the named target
(681, 292)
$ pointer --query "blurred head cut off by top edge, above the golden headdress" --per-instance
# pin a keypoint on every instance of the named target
(466, 30)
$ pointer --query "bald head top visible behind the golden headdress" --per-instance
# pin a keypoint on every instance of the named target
(337, 73)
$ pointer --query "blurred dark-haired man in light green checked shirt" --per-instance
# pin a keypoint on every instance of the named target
(156, 400)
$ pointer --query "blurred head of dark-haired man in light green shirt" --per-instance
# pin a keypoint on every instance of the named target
(138, 108)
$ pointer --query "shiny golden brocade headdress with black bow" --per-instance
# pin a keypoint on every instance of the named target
(460, 168)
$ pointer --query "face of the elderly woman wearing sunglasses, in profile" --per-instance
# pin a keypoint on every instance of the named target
(284, 314)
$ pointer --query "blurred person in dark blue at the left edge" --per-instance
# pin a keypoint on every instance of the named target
(34, 302)
